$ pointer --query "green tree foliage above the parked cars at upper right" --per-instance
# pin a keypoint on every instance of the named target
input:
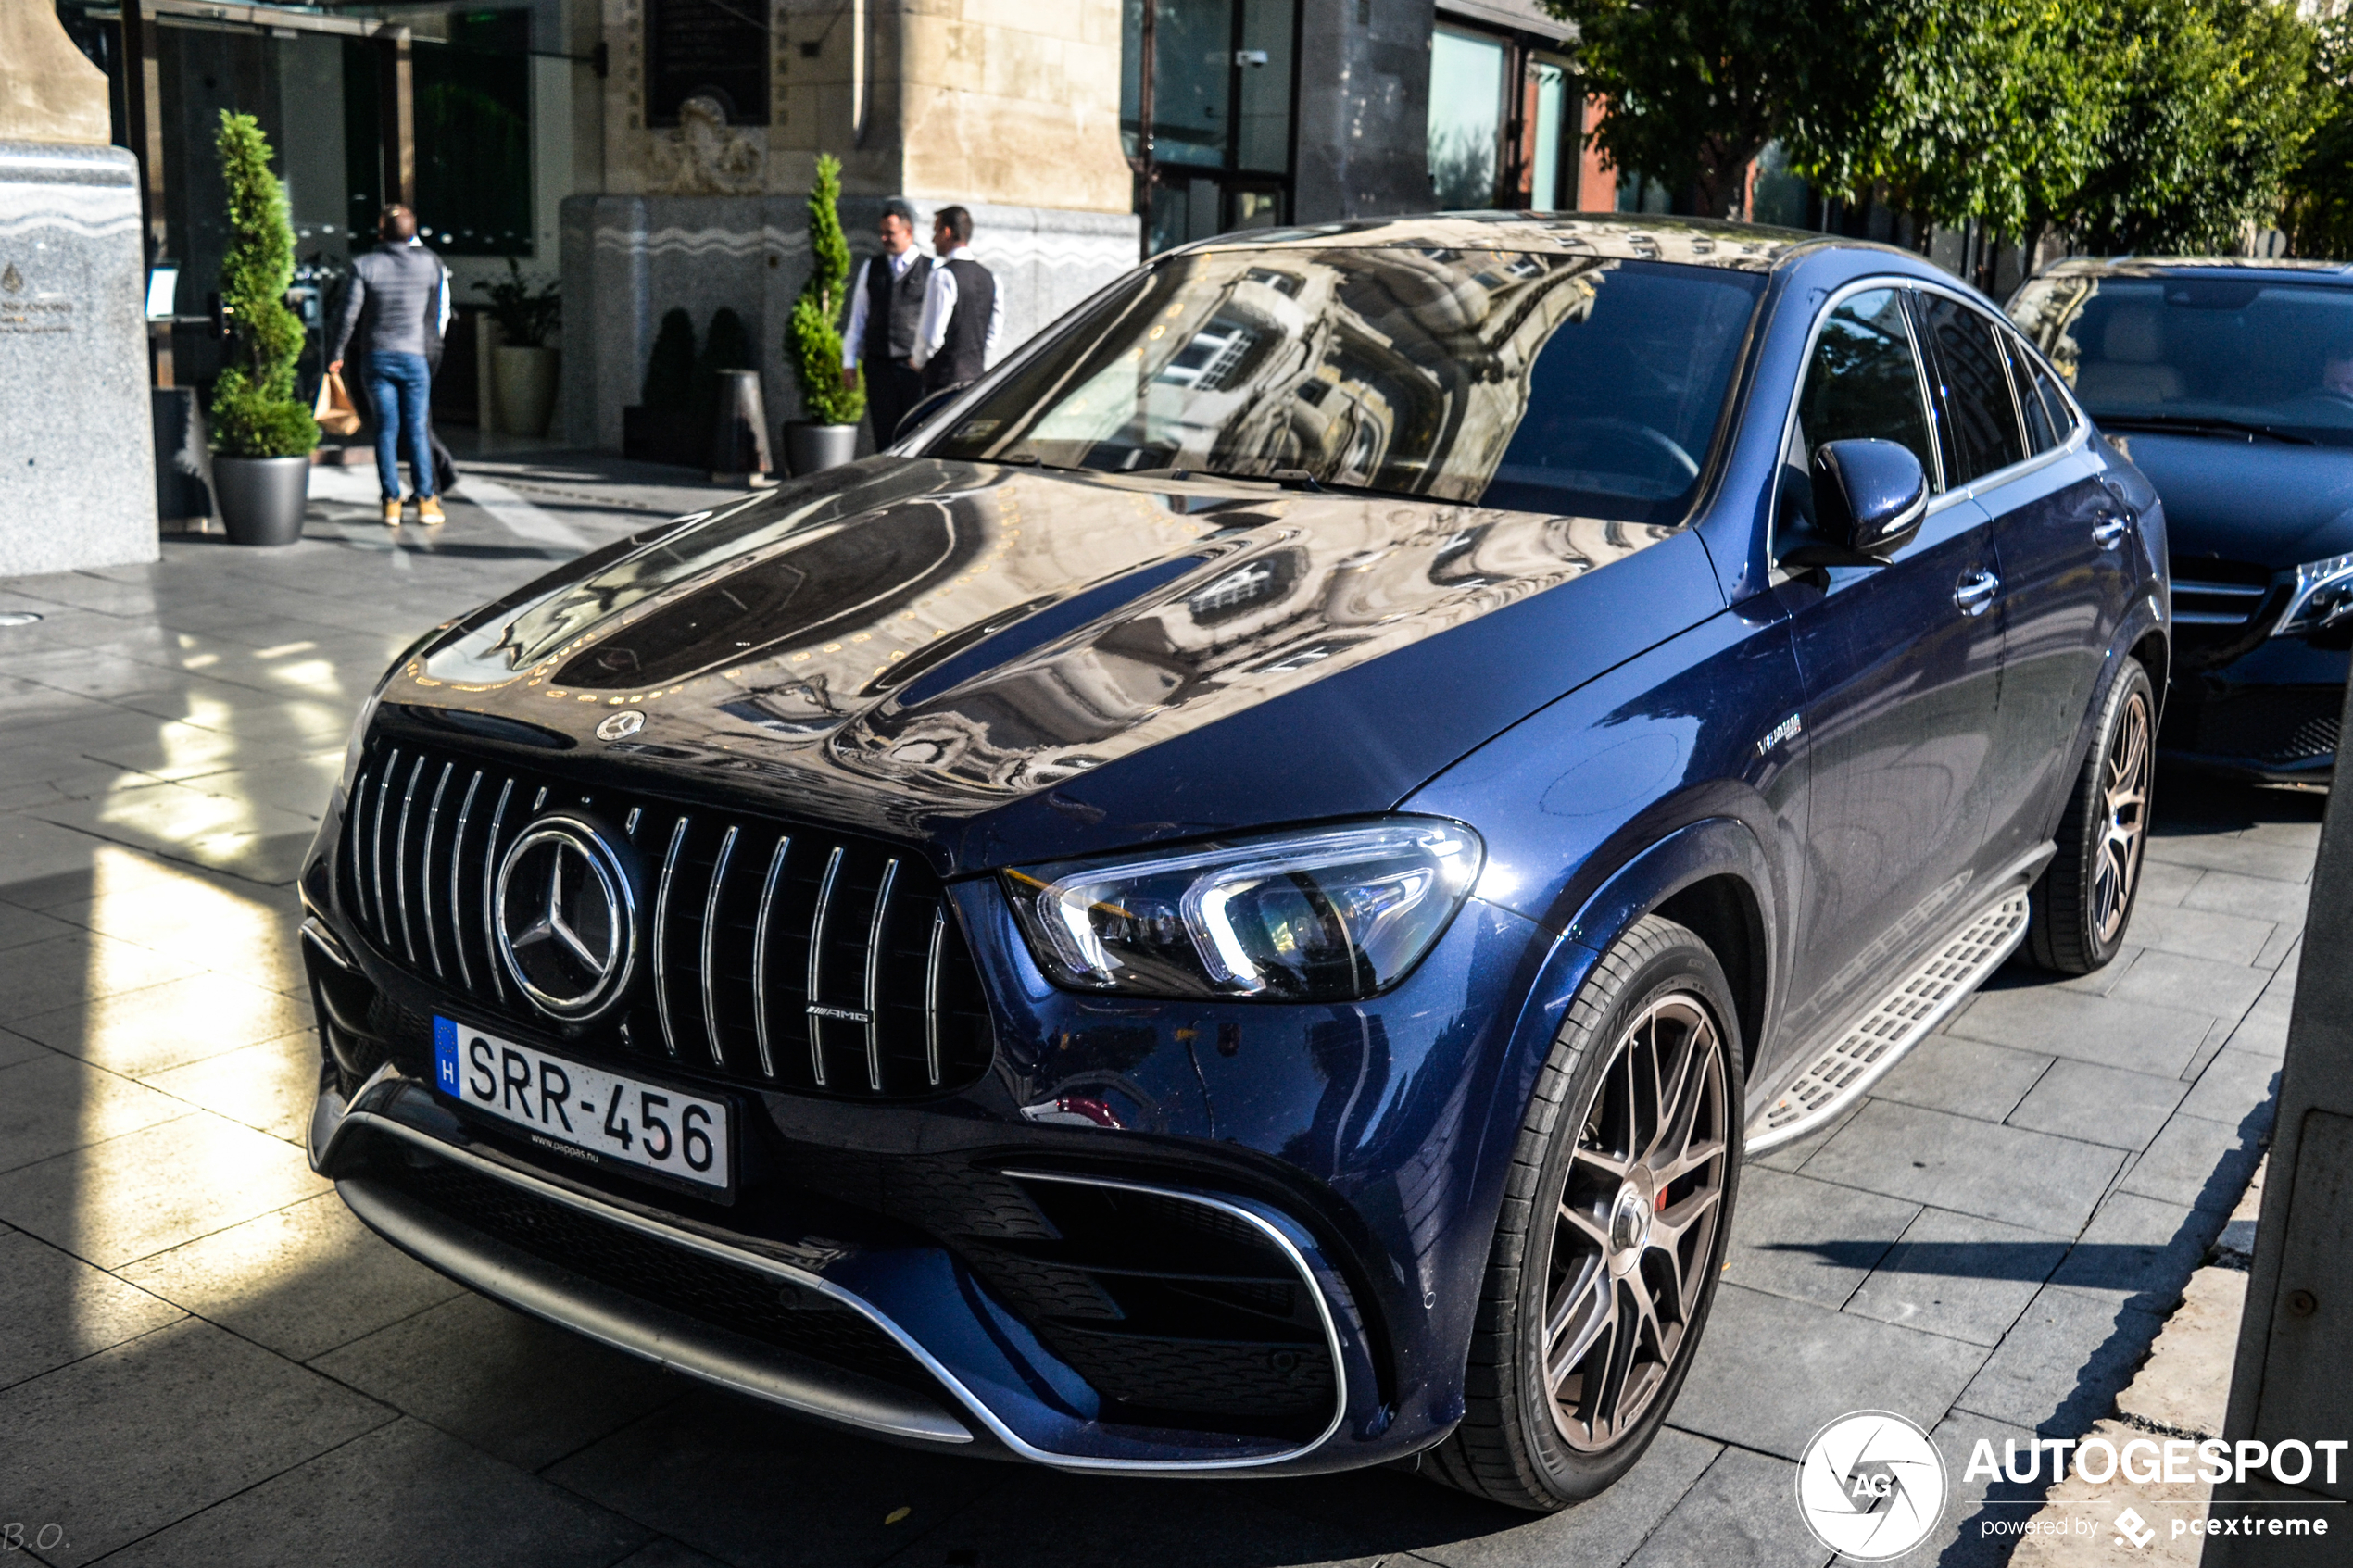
(2131, 123)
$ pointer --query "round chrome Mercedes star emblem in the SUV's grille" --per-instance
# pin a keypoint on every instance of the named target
(568, 918)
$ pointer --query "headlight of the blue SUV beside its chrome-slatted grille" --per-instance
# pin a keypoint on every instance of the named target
(1321, 916)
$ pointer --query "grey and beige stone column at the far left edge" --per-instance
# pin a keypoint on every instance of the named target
(76, 420)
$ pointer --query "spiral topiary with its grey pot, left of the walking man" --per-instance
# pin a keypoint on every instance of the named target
(262, 434)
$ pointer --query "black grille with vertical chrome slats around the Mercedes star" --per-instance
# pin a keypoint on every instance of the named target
(773, 956)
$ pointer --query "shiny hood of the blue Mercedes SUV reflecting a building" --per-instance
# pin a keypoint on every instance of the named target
(1015, 664)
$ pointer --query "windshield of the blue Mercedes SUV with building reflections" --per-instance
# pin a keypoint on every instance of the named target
(1512, 380)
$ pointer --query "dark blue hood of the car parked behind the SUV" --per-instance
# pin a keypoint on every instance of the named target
(2248, 502)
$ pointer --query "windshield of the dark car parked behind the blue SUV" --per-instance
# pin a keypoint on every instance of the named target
(2232, 356)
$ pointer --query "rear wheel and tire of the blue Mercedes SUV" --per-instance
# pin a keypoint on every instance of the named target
(2081, 909)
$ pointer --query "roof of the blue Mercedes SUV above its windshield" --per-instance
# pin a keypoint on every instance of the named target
(1749, 248)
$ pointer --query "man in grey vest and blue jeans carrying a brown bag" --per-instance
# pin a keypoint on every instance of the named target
(399, 304)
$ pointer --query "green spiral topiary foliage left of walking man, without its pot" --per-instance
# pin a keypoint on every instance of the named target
(255, 413)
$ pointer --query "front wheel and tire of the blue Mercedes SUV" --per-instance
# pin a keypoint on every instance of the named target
(1618, 1280)
